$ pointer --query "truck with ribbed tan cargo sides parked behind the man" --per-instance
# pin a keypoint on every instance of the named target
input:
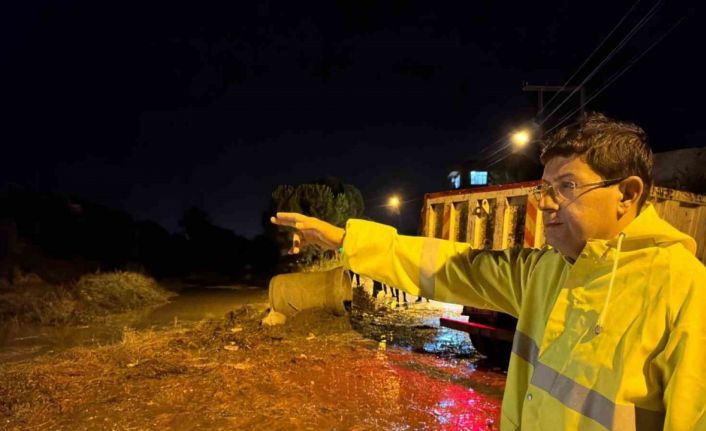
(502, 216)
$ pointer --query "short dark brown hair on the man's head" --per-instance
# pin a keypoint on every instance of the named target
(612, 148)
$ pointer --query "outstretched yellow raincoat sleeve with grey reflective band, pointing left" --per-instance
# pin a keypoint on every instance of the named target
(442, 270)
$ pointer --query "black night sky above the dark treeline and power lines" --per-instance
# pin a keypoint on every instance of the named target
(153, 107)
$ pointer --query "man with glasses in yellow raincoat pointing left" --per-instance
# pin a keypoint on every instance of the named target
(611, 329)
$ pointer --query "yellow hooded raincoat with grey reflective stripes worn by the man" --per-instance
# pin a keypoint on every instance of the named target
(589, 353)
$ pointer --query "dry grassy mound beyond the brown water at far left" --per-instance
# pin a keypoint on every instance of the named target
(32, 300)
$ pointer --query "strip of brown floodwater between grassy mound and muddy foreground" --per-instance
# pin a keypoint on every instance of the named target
(191, 305)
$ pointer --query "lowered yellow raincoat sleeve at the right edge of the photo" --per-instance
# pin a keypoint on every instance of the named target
(682, 363)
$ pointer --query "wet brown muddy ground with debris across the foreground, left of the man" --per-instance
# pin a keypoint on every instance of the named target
(315, 373)
